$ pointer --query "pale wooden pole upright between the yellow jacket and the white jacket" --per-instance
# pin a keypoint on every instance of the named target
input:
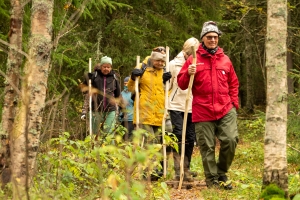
(165, 114)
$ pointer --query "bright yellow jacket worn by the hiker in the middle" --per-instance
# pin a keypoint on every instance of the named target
(151, 91)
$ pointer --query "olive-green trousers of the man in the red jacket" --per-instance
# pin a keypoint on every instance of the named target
(225, 129)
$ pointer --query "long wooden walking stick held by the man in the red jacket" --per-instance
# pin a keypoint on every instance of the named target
(185, 121)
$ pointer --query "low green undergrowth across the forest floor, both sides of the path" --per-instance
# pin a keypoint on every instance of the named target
(109, 168)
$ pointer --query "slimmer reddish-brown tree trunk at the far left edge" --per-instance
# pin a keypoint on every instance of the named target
(14, 63)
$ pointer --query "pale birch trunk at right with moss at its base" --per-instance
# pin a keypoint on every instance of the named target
(275, 160)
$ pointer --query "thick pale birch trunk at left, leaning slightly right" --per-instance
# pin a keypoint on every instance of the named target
(27, 126)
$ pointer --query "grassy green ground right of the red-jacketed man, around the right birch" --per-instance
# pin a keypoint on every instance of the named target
(247, 168)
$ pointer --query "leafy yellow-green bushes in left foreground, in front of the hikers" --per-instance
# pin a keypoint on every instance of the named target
(97, 169)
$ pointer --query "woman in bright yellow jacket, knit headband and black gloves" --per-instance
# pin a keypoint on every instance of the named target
(151, 91)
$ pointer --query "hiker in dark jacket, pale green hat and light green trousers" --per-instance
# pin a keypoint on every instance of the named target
(104, 98)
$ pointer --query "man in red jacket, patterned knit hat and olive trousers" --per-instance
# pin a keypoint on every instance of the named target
(215, 101)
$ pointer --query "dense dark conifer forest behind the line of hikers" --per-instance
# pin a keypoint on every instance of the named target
(125, 29)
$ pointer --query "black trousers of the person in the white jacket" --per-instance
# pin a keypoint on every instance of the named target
(177, 123)
